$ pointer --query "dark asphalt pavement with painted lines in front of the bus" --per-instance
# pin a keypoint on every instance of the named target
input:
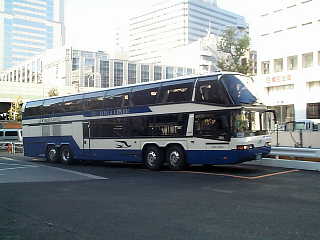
(122, 201)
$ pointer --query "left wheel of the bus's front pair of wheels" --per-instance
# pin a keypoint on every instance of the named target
(153, 157)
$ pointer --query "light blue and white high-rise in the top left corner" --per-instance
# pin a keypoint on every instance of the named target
(28, 27)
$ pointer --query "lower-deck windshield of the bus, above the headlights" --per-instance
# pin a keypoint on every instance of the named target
(247, 123)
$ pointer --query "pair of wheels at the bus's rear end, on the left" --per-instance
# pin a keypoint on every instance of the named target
(63, 155)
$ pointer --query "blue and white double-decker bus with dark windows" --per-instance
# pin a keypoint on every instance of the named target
(204, 119)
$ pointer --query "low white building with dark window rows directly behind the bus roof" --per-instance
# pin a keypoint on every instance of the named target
(71, 70)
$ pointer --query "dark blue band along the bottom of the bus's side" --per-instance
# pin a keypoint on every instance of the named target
(36, 147)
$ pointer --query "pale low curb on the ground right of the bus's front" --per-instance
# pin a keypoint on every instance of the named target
(296, 164)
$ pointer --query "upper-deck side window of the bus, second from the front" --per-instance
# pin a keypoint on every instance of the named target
(175, 92)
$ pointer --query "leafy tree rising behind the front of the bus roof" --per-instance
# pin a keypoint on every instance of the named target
(235, 48)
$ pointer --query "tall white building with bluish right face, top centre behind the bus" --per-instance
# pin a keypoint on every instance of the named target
(176, 23)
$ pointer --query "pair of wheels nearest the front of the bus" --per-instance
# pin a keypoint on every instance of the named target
(154, 157)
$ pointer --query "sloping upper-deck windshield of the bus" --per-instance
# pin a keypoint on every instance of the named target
(240, 88)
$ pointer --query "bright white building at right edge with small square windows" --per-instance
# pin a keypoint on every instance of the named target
(288, 55)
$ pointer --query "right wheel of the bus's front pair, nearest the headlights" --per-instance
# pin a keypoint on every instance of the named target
(176, 158)
